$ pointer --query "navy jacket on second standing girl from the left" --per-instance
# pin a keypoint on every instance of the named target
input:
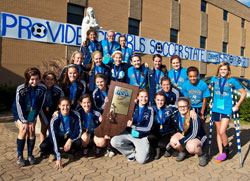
(47, 111)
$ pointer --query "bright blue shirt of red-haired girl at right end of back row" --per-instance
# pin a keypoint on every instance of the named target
(178, 78)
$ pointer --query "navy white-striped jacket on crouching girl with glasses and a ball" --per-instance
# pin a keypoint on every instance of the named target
(195, 129)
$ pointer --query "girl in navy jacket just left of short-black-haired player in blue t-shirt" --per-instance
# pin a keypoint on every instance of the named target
(172, 94)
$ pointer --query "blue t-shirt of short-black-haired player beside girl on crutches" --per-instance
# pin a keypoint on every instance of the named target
(196, 93)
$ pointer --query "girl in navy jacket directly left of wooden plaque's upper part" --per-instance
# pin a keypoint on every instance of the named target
(100, 93)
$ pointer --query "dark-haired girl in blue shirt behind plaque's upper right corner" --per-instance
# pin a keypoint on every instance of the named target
(136, 74)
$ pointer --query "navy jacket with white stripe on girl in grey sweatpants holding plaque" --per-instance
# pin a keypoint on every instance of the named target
(146, 123)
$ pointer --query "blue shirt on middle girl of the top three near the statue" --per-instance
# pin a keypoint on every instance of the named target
(108, 49)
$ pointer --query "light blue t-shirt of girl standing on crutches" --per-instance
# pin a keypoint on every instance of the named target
(222, 103)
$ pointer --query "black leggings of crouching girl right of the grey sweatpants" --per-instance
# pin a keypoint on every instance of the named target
(159, 140)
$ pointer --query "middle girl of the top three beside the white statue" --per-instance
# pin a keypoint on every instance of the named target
(109, 46)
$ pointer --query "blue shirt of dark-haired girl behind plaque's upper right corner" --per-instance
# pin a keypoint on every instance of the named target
(137, 76)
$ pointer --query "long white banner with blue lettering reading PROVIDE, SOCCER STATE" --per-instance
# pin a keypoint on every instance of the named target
(27, 28)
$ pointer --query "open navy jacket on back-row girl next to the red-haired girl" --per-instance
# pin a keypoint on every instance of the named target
(152, 84)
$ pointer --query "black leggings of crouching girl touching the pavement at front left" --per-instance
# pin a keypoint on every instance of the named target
(47, 146)
